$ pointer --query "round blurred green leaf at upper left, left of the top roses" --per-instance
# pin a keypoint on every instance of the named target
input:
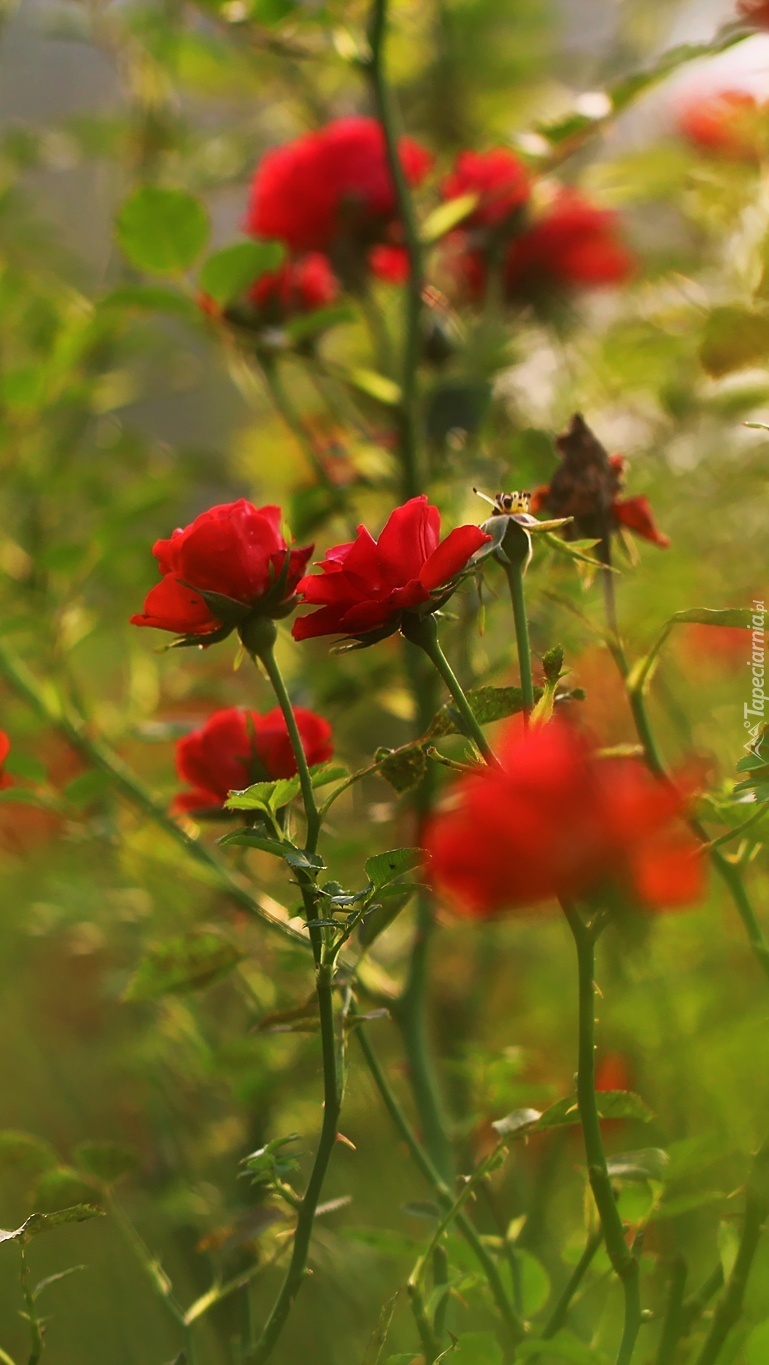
(163, 231)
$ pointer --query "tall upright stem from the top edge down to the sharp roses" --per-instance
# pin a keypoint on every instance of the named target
(415, 285)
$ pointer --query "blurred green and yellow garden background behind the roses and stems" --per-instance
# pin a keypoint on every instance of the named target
(121, 420)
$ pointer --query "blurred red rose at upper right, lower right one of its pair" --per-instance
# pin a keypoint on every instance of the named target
(573, 246)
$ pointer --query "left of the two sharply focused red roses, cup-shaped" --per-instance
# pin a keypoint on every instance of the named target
(236, 552)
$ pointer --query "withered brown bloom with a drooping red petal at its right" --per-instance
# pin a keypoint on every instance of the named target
(588, 485)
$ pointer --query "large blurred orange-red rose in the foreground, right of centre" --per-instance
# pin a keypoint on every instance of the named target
(555, 821)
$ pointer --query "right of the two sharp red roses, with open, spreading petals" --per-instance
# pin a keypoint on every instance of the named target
(368, 585)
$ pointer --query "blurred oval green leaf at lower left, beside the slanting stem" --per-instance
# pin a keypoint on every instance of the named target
(184, 964)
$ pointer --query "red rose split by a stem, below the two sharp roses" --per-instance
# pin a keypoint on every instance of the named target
(236, 749)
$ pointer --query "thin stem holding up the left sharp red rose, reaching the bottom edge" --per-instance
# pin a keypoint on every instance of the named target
(333, 1079)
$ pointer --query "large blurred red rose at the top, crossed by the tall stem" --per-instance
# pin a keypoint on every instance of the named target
(331, 185)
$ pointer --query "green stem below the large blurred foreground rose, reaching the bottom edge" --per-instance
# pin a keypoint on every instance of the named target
(621, 1256)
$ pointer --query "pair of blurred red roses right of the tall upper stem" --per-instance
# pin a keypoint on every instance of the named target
(566, 244)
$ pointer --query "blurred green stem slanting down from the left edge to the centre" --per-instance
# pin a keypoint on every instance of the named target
(100, 757)
